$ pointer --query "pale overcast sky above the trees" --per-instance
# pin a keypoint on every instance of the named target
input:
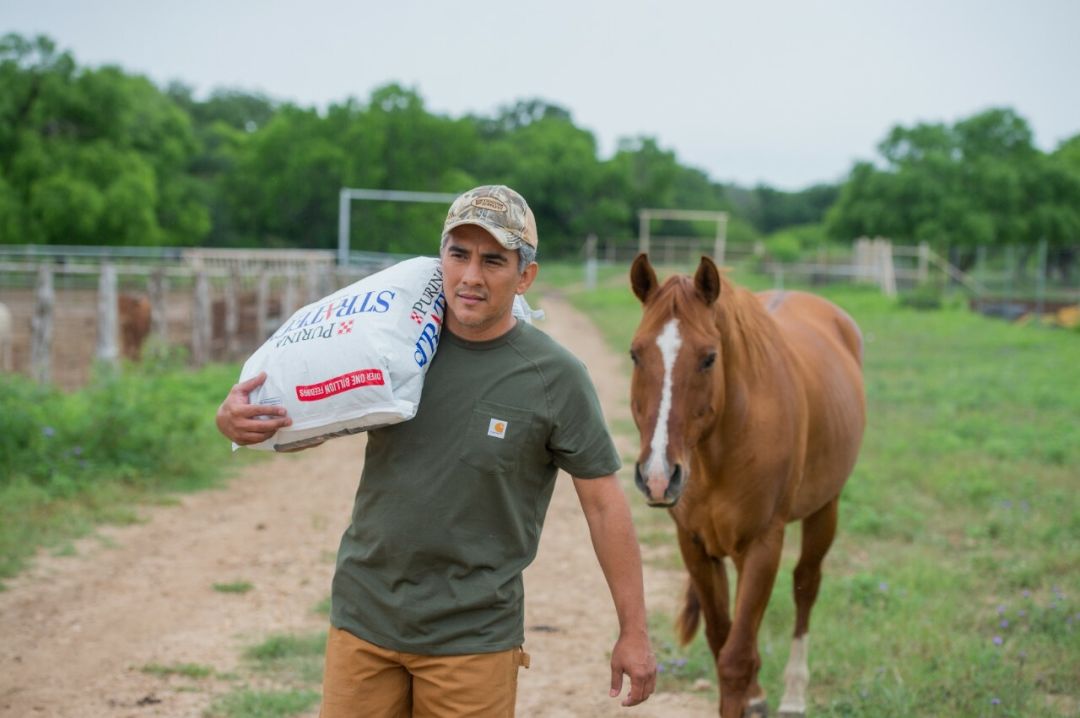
(787, 93)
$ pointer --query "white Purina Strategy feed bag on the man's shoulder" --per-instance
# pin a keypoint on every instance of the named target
(355, 360)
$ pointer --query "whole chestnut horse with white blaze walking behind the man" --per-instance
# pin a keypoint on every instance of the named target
(751, 413)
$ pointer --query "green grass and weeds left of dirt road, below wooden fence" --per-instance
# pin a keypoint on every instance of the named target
(73, 462)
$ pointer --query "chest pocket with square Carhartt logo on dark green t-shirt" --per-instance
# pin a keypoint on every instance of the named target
(495, 438)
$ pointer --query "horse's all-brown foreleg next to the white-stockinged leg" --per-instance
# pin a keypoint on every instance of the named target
(739, 661)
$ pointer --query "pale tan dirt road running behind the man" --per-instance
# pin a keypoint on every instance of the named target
(76, 632)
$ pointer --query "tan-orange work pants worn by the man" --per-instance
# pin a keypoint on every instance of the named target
(362, 681)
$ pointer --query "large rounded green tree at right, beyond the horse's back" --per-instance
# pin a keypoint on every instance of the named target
(978, 183)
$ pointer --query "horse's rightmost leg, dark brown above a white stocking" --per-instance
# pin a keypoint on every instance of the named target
(818, 533)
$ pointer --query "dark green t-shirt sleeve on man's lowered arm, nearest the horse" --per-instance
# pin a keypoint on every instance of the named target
(579, 442)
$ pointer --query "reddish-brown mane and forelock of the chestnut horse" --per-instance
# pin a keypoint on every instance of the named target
(748, 334)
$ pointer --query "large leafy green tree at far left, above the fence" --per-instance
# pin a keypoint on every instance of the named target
(92, 156)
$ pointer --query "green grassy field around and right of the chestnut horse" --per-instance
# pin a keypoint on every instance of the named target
(953, 587)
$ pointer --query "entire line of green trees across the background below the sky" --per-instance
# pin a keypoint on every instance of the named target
(101, 156)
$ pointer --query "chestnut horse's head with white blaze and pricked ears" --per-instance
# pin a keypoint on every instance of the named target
(678, 388)
